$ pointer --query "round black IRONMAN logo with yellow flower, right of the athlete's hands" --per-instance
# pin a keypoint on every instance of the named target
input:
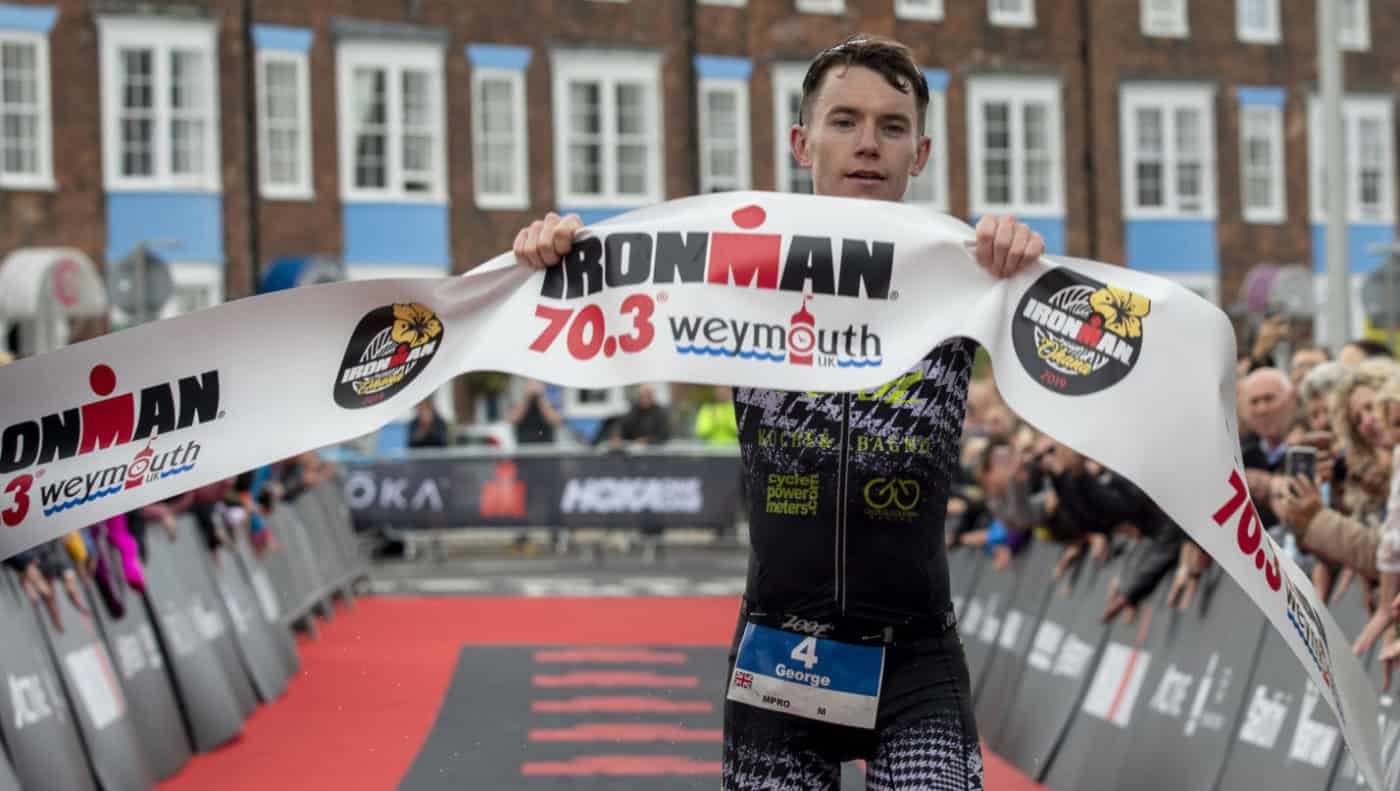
(1076, 335)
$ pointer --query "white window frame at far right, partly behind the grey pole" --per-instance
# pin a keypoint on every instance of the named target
(1353, 111)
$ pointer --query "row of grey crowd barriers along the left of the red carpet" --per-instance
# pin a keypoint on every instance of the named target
(121, 699)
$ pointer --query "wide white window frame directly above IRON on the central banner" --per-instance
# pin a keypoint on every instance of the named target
(610, 69)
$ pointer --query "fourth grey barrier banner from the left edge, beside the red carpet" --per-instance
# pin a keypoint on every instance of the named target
(201, 682)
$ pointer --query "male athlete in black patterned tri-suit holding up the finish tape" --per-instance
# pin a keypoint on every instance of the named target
(848, 586)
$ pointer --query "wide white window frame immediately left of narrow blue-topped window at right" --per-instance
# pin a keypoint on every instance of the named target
(1168, 97)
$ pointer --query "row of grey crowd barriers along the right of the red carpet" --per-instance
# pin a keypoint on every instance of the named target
(1206, 699)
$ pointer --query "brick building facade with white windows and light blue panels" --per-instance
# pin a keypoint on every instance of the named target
(416, 136)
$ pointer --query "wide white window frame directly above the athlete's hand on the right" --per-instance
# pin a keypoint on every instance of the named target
(1016, 92)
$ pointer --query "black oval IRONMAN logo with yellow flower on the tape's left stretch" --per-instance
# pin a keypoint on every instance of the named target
(390, 348)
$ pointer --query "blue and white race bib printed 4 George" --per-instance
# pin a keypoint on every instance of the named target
(808, 677)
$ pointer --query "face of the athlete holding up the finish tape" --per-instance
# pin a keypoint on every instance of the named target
(862, 139)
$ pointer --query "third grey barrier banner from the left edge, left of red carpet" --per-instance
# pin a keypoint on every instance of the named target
(132, 645)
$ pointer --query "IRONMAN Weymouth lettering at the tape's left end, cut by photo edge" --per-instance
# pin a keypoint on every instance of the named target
(100, 425)
